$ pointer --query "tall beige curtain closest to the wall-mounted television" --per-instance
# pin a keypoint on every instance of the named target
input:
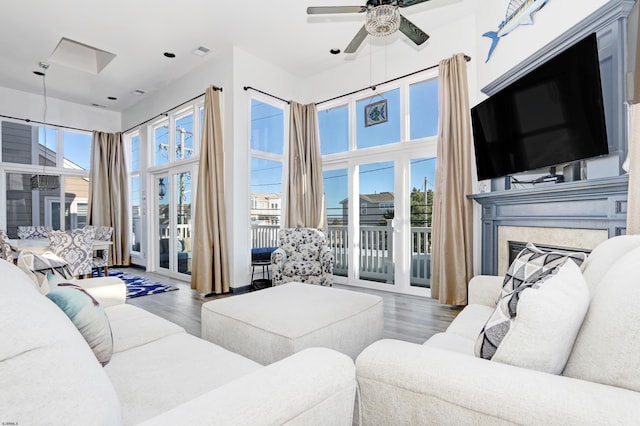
(452, 246)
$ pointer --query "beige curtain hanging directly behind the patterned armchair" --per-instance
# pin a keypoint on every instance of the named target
(305, 204)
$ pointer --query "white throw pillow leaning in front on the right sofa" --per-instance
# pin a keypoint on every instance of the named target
(537, 331)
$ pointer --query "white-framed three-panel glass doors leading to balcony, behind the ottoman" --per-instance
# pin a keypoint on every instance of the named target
(385, 241)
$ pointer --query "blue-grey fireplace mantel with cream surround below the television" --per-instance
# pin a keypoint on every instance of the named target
(573, 214)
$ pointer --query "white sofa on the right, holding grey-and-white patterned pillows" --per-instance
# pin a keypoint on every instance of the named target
(442, 382)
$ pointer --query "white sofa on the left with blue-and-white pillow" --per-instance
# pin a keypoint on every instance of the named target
(158, 374)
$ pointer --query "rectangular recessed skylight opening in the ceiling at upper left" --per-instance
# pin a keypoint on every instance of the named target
(76, 55)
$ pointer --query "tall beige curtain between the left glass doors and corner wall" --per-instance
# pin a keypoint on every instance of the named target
(210, 266)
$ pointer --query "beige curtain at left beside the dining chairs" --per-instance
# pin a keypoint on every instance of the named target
(109, 192)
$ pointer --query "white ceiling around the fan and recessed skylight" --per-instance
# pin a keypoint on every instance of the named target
(138, 32)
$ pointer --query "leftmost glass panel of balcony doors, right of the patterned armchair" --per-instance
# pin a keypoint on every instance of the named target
(336, 184)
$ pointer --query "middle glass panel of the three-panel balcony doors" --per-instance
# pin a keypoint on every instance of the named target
(376, 212)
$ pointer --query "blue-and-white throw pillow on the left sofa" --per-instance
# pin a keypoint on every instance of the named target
(88, 316)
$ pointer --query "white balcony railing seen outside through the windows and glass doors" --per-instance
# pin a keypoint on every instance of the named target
(376, 251)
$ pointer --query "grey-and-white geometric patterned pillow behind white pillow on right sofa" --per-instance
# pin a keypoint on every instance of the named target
(531, 267)
